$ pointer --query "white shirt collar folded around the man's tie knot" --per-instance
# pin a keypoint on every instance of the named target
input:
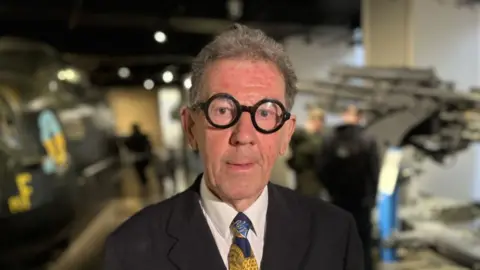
(222, 214)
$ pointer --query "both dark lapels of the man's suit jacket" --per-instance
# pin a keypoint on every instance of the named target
(287, 232)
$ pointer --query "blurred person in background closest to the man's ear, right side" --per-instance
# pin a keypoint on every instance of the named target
(304, 144)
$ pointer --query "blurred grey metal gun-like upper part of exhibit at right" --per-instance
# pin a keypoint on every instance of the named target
(405, 107)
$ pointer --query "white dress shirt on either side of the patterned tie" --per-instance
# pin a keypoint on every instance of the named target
(220, 215)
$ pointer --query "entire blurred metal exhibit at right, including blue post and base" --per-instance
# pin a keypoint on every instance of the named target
(407, 107)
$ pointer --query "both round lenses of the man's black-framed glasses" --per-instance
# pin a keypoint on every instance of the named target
(223, 111)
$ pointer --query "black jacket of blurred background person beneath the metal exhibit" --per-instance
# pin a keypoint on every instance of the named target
(351, 179)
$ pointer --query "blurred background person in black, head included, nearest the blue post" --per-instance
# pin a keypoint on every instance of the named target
(348, 166)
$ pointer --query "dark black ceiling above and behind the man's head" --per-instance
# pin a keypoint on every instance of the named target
(103, 35)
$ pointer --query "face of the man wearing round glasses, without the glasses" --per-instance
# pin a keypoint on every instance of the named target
(238, 160)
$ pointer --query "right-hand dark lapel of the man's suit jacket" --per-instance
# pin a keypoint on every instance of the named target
(287, 232)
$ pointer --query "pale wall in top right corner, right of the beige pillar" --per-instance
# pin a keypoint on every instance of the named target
(448, 41)
